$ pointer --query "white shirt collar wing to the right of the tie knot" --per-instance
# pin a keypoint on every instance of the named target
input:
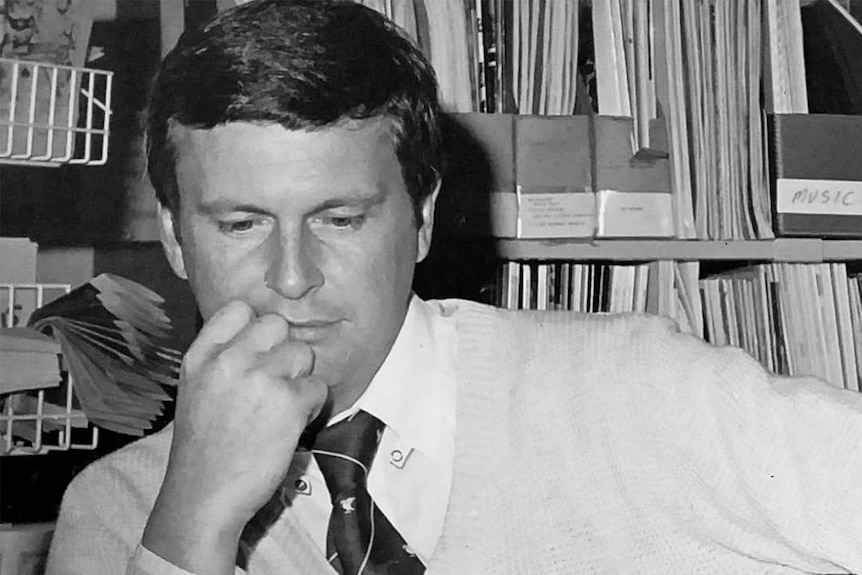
(407, 393)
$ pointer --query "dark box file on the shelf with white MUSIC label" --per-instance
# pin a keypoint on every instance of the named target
(816, 174)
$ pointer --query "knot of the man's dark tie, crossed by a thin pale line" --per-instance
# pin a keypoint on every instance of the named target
(344, 451)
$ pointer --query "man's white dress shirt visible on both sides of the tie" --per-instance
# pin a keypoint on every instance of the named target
(413, 394)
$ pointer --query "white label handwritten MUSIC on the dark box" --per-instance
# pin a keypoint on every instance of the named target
(833, 197)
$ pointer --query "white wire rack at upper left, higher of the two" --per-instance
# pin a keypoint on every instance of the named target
(52, 114)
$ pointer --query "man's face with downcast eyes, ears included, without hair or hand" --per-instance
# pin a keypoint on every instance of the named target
(314, 226)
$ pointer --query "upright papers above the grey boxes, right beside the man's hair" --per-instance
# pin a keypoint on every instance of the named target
(510, 56)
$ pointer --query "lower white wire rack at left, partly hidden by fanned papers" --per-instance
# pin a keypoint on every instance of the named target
(30, 424)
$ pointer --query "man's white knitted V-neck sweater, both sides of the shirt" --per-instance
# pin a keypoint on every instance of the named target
(584, 444)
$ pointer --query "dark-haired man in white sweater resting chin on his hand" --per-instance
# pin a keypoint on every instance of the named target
(295, 150)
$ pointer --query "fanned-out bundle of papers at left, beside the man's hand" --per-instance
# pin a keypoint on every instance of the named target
(108, 330)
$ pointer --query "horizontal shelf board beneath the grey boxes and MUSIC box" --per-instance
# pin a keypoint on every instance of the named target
(779, 250)
